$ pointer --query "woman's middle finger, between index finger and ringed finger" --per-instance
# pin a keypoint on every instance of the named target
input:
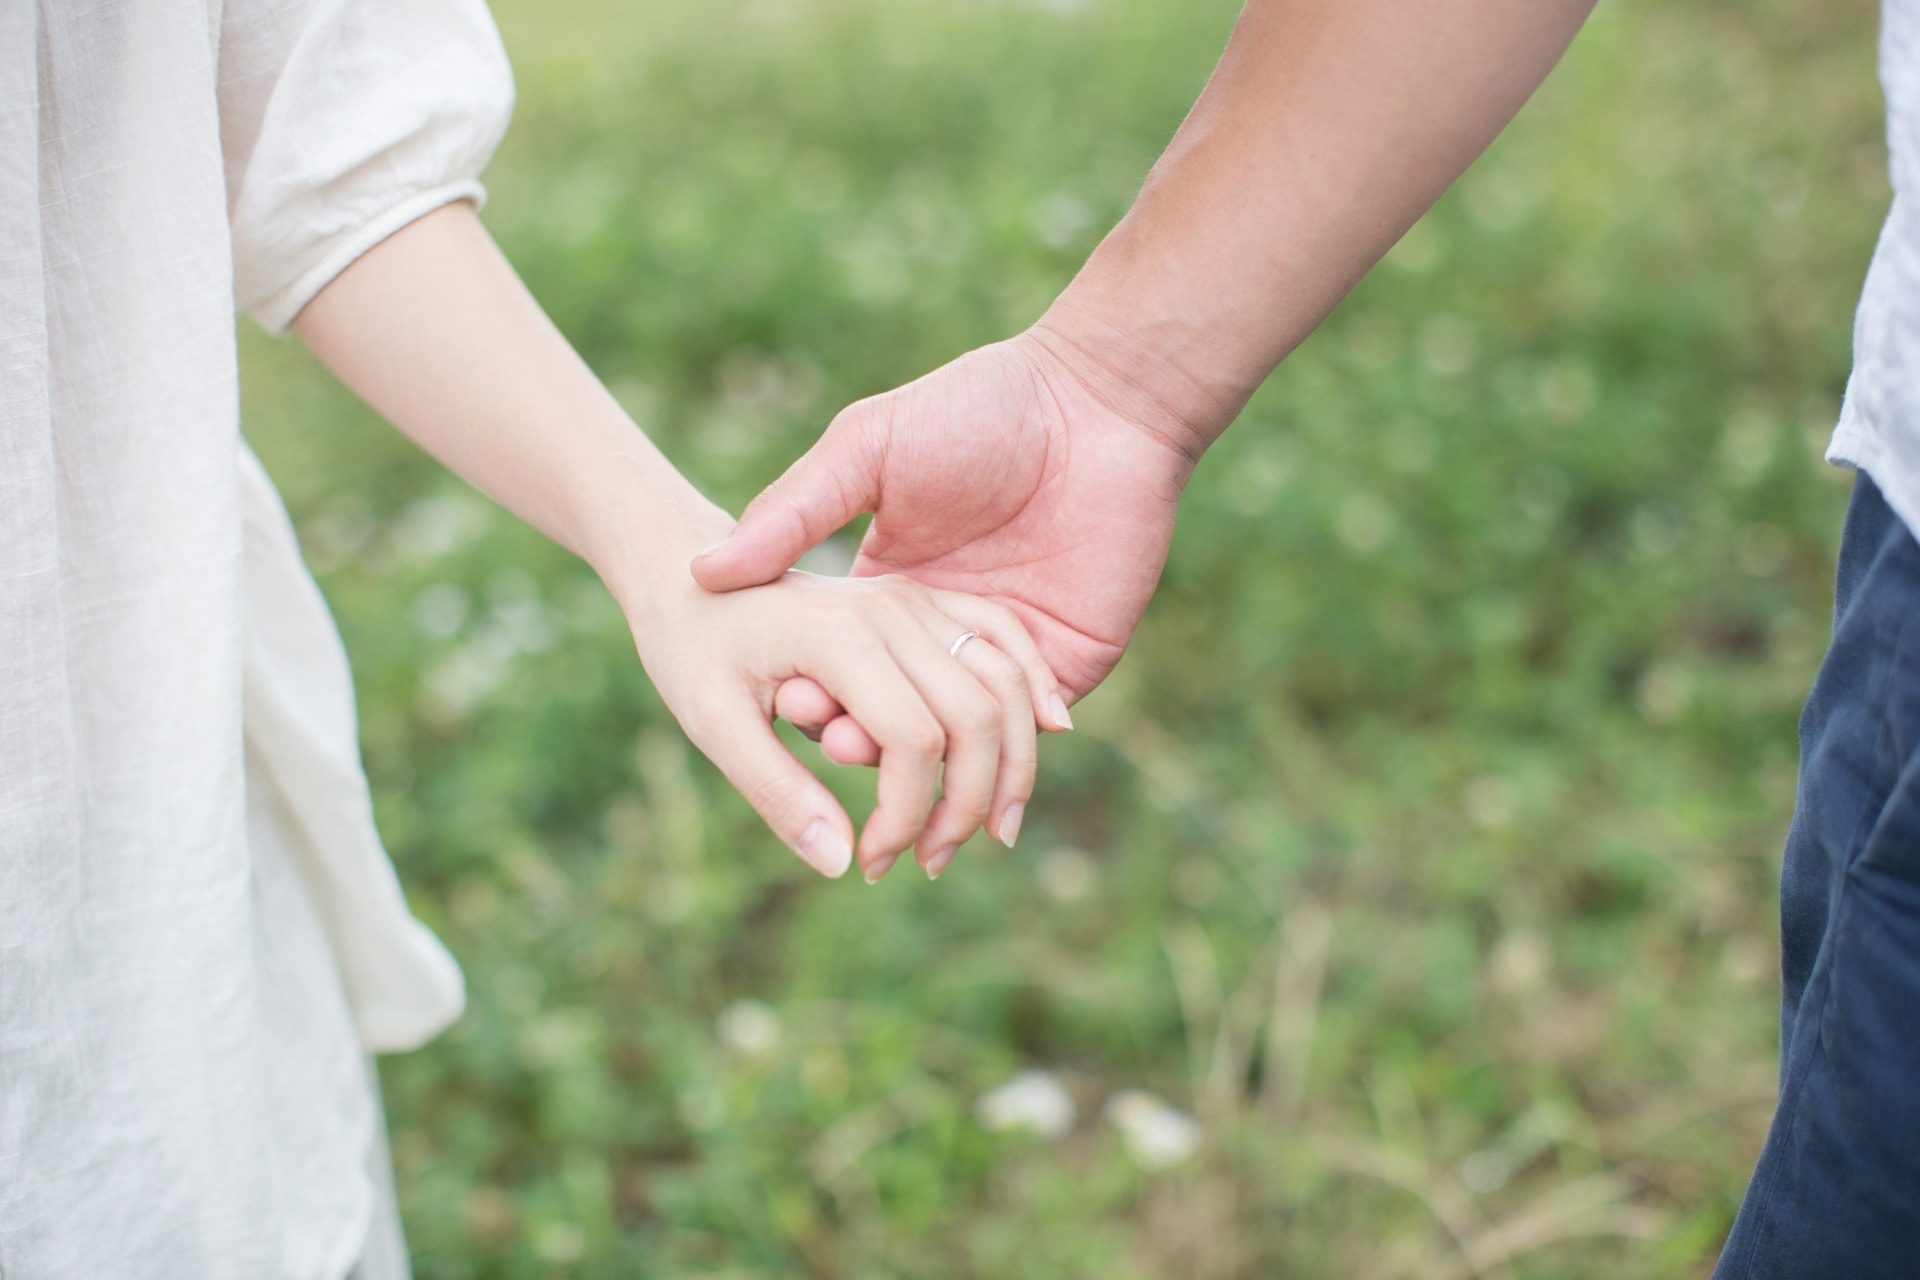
(972, 721)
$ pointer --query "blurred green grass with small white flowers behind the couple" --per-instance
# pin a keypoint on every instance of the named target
(1404, 907)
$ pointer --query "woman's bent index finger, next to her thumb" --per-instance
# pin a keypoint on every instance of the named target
(869, 682)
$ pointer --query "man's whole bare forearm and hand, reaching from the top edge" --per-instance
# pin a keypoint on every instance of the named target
(1044, 471)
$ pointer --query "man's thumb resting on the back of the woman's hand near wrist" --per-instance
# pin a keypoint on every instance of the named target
(828, 486)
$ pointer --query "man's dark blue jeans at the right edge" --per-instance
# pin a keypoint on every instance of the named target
(1838, 1185)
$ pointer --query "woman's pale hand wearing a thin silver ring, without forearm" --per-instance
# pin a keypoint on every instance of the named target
(882, 650)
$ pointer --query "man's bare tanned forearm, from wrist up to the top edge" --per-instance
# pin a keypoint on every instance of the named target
(1326, 131)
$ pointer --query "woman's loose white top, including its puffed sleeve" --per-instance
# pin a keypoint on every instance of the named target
(201, 932)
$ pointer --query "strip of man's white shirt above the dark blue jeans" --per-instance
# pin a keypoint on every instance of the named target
(1881, 419)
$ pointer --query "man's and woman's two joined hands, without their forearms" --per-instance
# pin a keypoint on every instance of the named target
(1022, 494)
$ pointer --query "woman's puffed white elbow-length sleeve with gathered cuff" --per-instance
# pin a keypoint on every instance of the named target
(343, 122)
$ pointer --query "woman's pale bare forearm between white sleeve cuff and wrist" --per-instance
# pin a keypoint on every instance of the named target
(437, 333)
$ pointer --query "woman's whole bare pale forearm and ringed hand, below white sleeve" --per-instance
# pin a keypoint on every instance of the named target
(435, 329)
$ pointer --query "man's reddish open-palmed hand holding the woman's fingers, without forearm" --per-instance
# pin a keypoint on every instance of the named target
(1017, 473)
